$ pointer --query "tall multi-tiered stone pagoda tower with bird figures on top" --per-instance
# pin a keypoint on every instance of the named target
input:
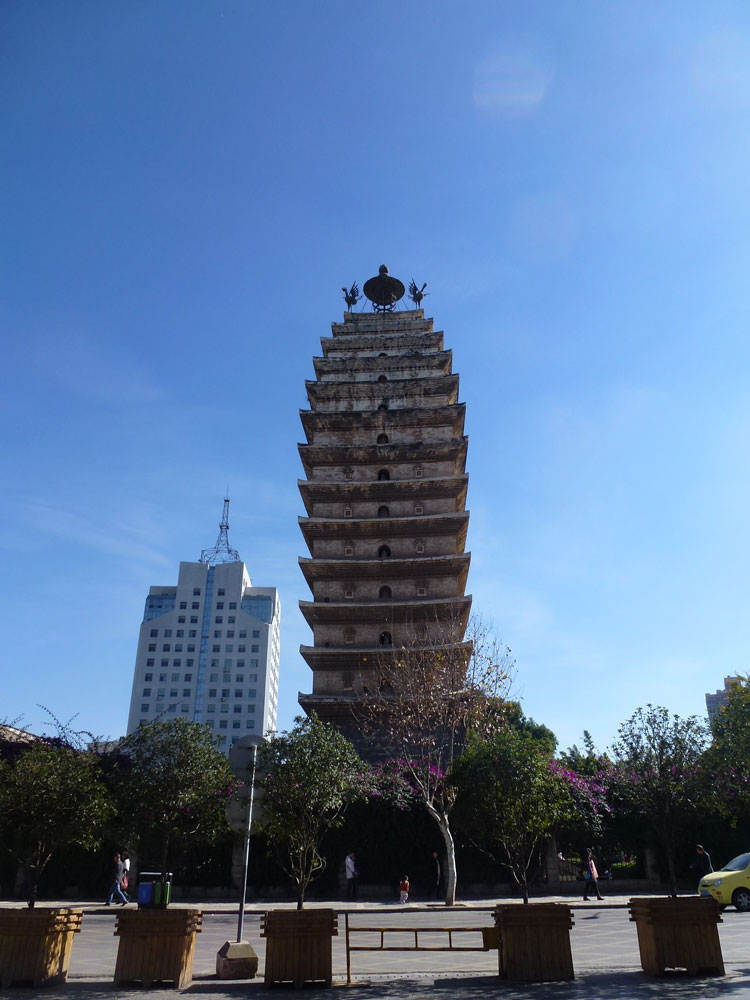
(385, 495)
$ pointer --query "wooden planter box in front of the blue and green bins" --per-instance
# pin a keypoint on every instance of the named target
(156, 945)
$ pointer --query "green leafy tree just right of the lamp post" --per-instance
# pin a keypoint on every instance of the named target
(309, 776)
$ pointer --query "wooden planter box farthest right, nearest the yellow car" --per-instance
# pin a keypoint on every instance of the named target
(678, 933)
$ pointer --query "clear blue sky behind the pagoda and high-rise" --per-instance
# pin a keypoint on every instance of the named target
(186, 187)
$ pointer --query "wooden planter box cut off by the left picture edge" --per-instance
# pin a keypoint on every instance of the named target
(35, 945)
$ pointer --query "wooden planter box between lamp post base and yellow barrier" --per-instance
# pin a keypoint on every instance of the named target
(299, 946)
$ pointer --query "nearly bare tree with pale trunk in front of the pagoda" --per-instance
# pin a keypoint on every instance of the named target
(421, 701)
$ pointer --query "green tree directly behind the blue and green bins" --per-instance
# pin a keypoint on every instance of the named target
(174, 783)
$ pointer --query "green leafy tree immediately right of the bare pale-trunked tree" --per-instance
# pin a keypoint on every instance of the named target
(510, 798)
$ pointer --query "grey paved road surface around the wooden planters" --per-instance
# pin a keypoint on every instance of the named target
(603, 941)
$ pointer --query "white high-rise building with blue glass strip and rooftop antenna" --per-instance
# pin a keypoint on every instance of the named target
(209, 648)
